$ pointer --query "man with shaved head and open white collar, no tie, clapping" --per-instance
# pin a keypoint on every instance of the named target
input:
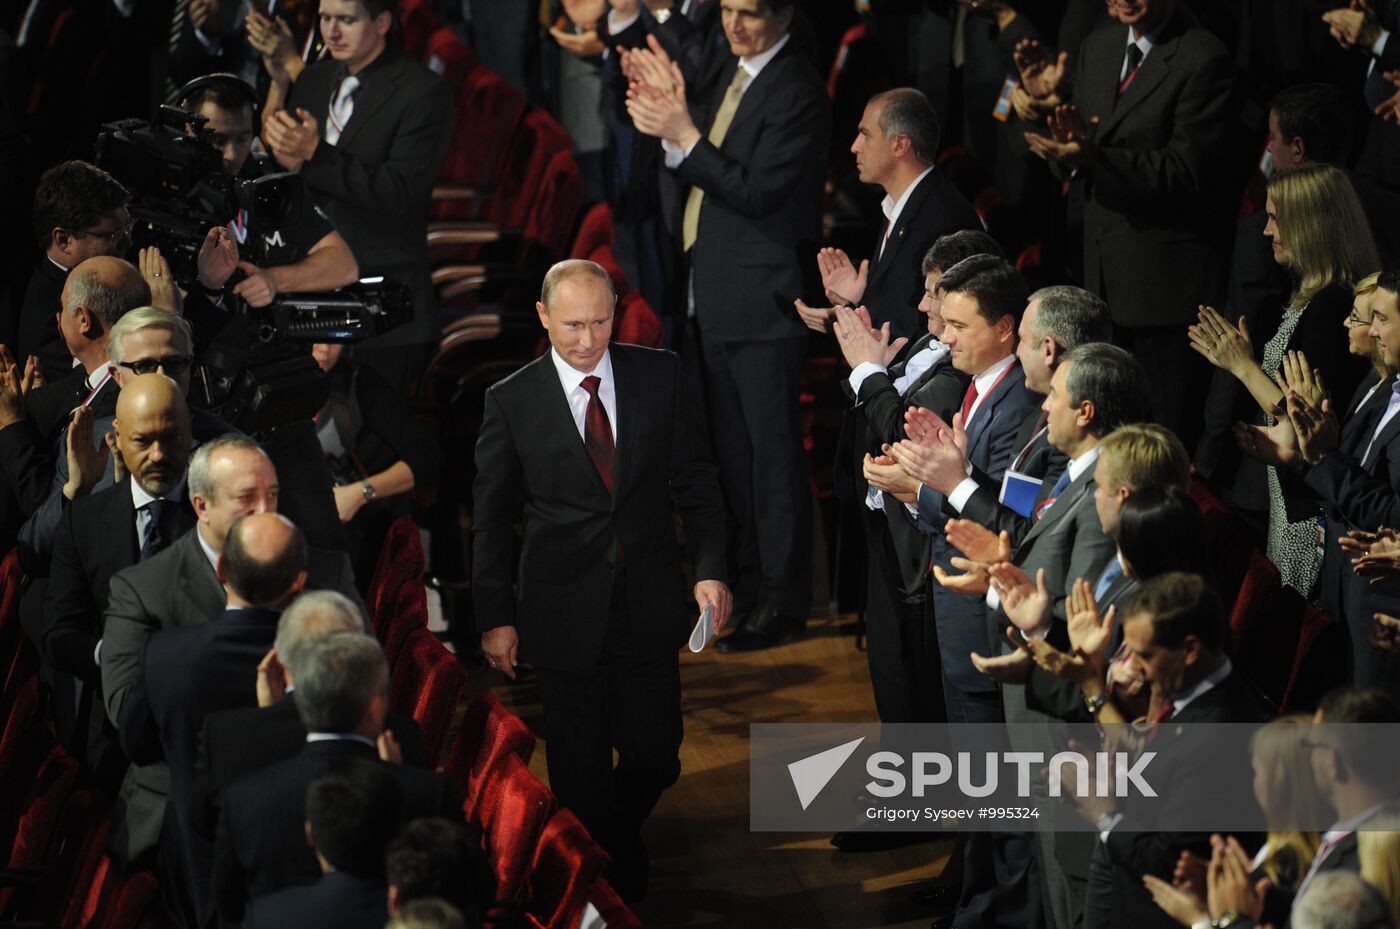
(895, 148)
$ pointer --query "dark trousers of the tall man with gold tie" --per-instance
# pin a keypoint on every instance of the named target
(755, 426)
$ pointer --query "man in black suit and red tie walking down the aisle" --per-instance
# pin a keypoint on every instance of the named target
(601, 612)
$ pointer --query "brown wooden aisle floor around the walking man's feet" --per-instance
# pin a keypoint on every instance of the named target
(708, 870)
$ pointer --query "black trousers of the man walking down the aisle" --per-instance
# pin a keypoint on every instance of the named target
(629, 702)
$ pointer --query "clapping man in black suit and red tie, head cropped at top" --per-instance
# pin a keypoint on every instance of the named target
(1150, 139)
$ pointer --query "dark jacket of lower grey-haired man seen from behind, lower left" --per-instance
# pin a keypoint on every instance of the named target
(262, 846)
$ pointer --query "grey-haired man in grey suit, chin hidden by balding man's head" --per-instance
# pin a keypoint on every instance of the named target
(229, 478)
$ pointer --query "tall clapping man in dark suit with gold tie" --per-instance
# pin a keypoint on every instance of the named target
(751, 218)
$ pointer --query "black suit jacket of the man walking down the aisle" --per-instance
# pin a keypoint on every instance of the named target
(530, 460)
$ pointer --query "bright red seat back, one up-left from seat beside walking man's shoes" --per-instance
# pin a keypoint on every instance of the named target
(513, 814)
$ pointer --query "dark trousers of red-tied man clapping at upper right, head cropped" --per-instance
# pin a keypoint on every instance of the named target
(1177, 377)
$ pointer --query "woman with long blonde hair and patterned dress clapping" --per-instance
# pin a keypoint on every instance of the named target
(1321, 234)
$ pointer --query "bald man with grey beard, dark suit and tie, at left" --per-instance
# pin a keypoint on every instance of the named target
(100, 535)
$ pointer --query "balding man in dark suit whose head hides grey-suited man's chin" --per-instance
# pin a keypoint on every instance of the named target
(194, 671)
